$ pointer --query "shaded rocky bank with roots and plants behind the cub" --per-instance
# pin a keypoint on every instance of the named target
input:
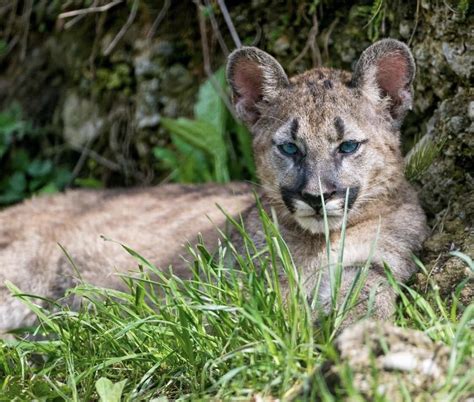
(102, 93)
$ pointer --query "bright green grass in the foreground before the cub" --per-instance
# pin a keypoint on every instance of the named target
(225, 333)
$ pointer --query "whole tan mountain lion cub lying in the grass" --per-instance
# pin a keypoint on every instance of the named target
(323, 135)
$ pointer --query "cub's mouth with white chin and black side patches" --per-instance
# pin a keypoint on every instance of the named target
(308, 209)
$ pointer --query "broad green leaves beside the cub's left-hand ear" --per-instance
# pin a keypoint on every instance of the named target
(210, 147)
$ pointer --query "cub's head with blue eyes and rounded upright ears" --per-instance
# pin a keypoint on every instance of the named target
(325, 133)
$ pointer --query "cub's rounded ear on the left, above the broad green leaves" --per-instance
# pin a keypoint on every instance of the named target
(254, 76)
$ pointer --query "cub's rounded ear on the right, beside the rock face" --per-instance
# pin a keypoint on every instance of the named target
(386, 71)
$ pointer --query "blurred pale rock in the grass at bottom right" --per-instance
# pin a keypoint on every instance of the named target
(394, 355)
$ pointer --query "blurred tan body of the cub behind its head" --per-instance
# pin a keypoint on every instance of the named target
(157, 222)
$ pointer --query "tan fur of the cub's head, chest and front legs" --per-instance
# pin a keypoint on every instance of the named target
(386, 215)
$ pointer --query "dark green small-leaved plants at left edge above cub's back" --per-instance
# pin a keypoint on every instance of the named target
(24, 171)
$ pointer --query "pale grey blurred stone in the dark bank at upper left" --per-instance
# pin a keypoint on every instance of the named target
(81, 119)
